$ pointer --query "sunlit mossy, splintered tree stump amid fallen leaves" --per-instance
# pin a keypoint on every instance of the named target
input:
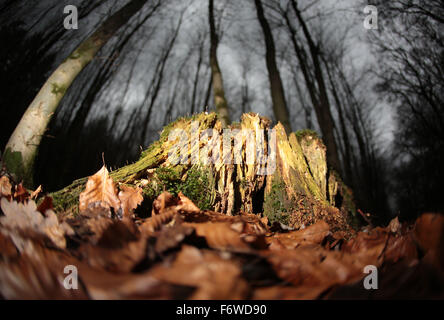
(288, 180)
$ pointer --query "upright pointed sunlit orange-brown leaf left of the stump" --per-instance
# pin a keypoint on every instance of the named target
(100, 188)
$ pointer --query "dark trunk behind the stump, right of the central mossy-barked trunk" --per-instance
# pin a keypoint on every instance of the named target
(280, 108)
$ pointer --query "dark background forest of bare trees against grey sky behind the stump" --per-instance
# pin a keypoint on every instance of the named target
(376, 95)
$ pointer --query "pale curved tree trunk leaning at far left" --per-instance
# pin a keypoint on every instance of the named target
(21, 149)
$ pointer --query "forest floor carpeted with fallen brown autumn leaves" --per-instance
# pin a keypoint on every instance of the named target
(182, 252)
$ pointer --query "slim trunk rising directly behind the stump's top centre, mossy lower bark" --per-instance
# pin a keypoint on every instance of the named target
(220, 101)
